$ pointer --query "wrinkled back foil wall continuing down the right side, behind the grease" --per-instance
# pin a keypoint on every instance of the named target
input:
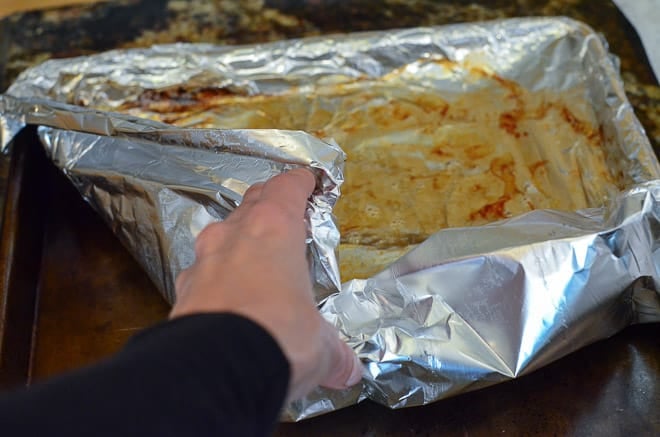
(527, 51)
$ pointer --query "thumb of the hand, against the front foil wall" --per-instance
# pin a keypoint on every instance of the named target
(345, 369)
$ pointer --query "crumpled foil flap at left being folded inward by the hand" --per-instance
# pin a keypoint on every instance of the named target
(157, 186)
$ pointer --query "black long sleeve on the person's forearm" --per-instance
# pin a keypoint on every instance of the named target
(207, 374)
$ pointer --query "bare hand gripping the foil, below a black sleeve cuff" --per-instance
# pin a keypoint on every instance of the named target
(254, 264)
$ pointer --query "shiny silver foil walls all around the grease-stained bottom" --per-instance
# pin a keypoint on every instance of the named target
(468, 307)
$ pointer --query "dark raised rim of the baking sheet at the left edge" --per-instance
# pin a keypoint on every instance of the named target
(21, 245)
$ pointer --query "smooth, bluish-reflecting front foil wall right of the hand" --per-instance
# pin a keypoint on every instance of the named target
(471, 307)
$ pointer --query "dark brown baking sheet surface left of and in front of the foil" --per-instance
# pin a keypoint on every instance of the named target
(59, 314)
